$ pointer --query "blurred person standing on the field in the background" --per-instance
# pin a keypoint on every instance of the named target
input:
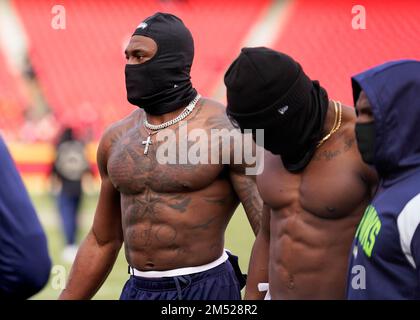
(69, 168)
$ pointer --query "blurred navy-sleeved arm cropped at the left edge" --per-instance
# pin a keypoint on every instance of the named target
(24, 260)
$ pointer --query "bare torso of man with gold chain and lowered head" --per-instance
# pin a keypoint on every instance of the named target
(314, 215)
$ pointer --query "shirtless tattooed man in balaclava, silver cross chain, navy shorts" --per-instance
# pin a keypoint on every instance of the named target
(170, 217)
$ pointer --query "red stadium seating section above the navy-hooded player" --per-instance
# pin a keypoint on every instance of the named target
(319, 34)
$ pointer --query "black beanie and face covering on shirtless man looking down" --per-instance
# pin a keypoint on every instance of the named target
(268, 90)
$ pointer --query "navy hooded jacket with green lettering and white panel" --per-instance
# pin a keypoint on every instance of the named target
(385, 257)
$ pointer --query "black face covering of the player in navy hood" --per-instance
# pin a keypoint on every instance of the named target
(365, 136)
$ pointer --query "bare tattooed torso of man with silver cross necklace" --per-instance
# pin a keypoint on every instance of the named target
(173, 215)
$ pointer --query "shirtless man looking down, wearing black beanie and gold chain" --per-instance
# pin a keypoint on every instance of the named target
(315, 186)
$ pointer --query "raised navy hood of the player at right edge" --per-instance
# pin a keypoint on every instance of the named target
(393, 90)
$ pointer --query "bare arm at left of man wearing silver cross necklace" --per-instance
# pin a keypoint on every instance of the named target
(99, 250)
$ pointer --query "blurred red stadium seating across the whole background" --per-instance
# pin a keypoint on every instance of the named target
(81, 68)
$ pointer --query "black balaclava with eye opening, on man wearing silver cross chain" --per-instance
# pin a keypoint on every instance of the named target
(163, 83)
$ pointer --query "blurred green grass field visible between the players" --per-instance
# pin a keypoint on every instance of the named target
(239, 239)
